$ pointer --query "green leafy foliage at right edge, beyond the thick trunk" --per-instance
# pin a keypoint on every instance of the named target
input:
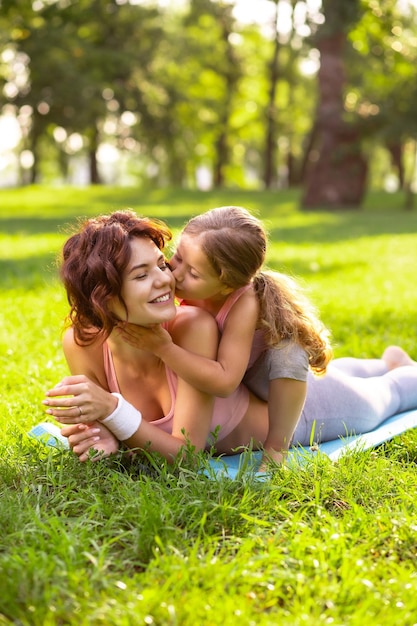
(384, 41)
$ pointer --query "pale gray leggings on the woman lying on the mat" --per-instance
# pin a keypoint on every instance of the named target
(354, 396)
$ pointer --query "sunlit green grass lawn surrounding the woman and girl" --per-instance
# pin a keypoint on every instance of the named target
(123, 543)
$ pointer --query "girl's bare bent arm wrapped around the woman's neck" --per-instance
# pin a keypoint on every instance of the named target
(219, 377)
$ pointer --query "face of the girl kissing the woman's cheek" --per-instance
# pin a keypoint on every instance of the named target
(195, 278)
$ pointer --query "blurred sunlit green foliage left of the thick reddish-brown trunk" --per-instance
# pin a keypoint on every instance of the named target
(194, 82)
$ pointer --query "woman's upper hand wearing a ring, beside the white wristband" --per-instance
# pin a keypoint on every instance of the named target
(77, 400)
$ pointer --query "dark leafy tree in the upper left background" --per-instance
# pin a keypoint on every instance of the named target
(77, 51)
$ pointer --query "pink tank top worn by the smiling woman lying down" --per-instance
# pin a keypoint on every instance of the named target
(227, 412)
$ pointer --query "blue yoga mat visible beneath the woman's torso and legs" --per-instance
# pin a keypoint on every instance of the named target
(231, 465)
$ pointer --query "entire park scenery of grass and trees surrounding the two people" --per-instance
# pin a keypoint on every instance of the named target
(171, 108)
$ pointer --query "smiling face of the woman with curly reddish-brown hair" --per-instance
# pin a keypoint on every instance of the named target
(148, 286)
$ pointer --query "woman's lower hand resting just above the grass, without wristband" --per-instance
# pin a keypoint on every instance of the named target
(82, 438)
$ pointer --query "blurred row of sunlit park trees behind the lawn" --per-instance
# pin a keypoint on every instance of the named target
(211, 94)
